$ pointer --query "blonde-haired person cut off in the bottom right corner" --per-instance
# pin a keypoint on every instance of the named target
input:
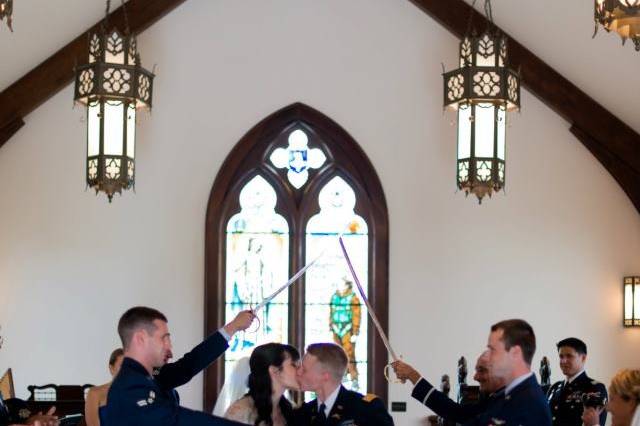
(624, 401)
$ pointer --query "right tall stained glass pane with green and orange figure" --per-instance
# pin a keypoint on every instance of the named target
(333, 309)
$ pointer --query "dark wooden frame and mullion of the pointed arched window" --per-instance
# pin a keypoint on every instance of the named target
(347, 159)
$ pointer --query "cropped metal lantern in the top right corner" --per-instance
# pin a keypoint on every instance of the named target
(621, 16)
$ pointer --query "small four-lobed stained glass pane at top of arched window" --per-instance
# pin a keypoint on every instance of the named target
(298, 158)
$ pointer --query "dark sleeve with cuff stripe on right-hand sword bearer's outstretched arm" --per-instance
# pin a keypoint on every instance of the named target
(445, 407)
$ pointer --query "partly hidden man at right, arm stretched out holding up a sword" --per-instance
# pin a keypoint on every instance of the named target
(440, 403)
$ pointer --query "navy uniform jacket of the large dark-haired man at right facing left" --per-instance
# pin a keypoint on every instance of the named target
(524, 405)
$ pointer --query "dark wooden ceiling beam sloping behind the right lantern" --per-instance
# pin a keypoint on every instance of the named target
(603, 130)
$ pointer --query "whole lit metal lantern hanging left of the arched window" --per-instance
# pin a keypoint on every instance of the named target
(113, 86)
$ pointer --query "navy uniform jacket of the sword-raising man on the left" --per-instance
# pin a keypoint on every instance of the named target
(137, 399)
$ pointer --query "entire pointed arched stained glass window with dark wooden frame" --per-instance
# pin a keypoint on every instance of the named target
(290, 186)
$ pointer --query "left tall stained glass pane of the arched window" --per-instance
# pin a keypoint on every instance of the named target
(257, 263)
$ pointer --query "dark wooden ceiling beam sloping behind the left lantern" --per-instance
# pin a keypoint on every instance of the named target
(52, 75)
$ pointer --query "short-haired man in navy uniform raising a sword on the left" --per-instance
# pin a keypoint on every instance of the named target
(136, 397)
